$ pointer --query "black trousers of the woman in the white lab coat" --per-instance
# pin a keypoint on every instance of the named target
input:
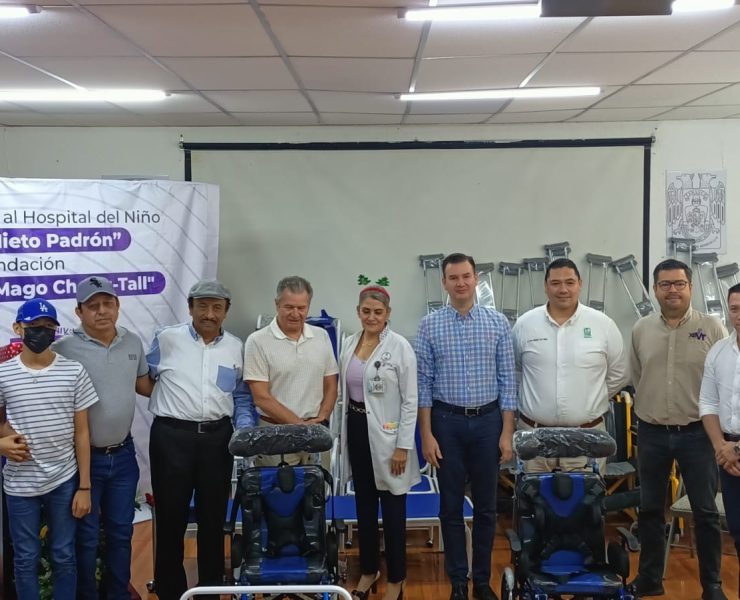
(366, 501)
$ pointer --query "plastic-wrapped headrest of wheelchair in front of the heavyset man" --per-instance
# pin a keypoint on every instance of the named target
(563, 442)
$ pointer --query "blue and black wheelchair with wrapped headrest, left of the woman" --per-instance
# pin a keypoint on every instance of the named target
(284, 538)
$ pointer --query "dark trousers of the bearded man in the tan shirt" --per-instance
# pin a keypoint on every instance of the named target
(691, 448)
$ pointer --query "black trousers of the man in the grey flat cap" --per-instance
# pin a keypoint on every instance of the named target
(183, 462)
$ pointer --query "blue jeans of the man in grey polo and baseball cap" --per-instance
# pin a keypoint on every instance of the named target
(114, 478)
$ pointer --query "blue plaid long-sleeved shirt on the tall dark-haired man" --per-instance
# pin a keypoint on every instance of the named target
(466, 360)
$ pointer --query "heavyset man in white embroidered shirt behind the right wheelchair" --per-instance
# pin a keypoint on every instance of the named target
(571, 359)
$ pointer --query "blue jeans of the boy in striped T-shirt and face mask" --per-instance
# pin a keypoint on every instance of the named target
(24, 521)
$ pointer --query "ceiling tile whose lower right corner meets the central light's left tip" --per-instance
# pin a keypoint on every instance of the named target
(390, 75)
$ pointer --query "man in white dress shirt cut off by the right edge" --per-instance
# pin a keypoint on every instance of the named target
(719, 407)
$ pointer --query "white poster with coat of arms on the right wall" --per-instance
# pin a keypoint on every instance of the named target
(696, 209)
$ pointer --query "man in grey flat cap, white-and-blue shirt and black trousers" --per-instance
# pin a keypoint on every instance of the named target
(197, 367)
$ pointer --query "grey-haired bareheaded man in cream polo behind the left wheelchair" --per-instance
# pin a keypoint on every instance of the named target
(290, 366)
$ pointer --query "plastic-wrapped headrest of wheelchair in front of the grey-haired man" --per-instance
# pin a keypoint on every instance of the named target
(280, 439)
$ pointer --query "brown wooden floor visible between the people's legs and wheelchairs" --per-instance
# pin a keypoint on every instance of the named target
(426, 577)
